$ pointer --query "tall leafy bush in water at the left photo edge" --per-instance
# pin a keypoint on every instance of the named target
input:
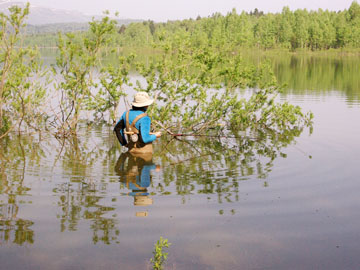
(21, 94)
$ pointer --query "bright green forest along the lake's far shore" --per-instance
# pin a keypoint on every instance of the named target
(292, 30)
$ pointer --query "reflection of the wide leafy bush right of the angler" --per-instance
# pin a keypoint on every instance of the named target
(216, 165)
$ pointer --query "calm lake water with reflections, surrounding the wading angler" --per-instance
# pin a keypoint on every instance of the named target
(84, 204)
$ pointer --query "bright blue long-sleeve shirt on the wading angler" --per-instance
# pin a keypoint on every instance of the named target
(143, 125)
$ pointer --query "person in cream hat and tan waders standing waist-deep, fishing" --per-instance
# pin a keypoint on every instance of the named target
(133, 128)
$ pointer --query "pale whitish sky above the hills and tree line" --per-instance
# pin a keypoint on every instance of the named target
(163, 10)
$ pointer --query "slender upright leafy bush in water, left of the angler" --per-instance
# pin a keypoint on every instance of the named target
(75, 68)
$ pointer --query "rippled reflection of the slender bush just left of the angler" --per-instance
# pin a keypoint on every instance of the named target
(83, 197)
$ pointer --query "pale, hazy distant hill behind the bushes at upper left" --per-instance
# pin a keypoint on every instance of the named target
(49, 18)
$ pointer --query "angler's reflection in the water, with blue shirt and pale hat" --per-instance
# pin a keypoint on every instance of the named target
(134, 171)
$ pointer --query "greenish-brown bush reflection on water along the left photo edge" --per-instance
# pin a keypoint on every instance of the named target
(13, 160)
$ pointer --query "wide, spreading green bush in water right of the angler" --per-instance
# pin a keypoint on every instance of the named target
(196, 91)
